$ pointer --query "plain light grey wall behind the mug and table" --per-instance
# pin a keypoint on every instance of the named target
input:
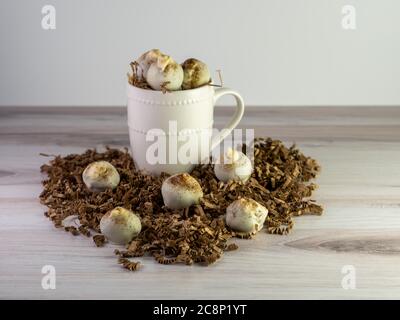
(276, 52)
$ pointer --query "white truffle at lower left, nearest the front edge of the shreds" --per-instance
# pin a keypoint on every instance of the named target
(120, 225)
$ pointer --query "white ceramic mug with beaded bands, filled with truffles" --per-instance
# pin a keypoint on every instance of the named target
(166, 124)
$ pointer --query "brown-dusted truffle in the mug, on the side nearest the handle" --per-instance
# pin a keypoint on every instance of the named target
(195, 74)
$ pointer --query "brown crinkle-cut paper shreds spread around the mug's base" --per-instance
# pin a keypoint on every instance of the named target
(280, 182)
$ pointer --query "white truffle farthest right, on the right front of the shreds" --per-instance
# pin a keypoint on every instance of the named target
(246, 215)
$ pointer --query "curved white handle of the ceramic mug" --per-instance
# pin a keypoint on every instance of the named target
(219, 92)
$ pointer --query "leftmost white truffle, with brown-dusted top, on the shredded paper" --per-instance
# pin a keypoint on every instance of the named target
(100, 175)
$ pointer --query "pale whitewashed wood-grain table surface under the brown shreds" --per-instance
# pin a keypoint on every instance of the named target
(358, 148)
